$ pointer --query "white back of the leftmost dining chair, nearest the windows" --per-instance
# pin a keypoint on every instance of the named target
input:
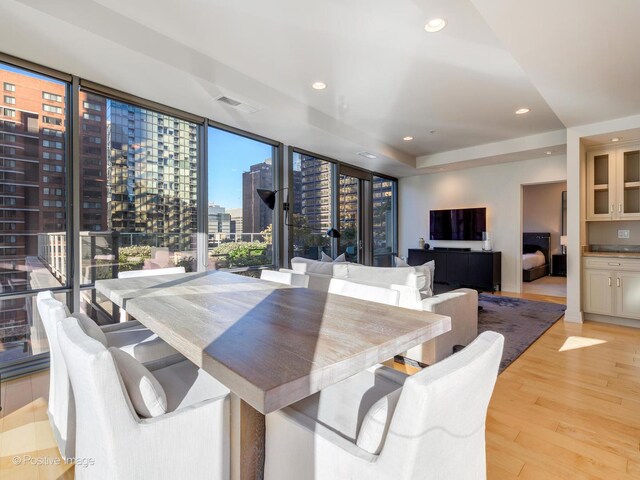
(60, 403)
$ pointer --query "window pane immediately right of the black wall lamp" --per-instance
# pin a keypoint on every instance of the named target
(312, 206)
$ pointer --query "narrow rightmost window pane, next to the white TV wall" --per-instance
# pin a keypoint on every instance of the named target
(385, 243)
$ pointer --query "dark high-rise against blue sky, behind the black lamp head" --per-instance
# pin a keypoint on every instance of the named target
(256, 216)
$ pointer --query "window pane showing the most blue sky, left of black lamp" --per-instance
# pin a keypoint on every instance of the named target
(240, 224)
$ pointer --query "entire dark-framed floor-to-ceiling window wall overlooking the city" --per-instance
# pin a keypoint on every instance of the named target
(143, 203)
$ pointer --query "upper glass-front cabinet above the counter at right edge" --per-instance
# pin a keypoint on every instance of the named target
(613, 183)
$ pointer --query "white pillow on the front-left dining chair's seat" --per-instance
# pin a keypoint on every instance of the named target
(145, 392)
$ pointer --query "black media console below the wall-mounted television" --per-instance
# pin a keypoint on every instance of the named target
(462, 267)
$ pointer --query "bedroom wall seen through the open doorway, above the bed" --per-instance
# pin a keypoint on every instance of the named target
(542, 211)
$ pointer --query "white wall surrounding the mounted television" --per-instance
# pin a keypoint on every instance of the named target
(497, 187)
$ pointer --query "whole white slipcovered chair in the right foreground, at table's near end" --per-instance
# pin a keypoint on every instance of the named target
(432, 425)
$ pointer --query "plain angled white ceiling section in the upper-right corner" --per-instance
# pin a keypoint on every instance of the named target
(582, 55)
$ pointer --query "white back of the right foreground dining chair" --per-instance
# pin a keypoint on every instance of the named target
(439, 423)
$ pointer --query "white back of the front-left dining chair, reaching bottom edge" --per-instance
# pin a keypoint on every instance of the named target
(104, 414)
